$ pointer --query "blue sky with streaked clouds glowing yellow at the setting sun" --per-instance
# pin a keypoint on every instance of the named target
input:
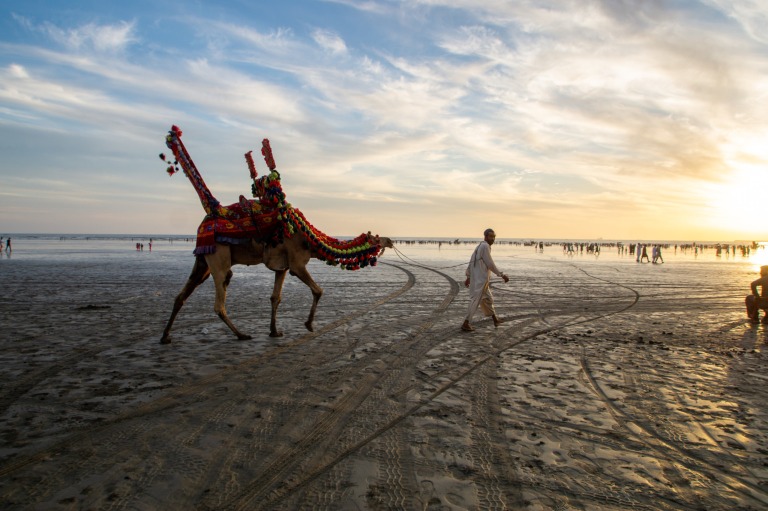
(543, 119)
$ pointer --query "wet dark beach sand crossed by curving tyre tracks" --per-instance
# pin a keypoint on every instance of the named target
(611, 385)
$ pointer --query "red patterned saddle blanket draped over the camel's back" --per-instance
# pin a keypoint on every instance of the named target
(237, 224)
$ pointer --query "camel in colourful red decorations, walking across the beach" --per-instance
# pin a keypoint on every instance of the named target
(266, 230)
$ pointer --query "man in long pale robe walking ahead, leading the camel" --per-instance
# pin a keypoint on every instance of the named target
(479, 281)
